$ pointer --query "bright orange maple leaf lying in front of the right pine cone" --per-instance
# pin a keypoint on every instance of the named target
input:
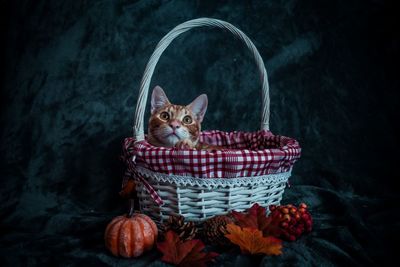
(251, 241)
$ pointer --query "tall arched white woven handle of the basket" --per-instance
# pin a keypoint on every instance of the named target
(138, 132)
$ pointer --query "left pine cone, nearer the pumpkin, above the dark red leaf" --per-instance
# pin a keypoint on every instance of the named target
(186, 231)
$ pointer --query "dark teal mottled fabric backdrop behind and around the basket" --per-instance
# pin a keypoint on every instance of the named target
(71, 72)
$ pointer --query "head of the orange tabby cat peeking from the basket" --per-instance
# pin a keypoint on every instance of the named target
(171, 123)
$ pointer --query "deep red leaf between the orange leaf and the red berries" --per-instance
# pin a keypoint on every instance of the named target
(256, 217)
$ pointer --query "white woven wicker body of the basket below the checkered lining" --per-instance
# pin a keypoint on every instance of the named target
(198, 199)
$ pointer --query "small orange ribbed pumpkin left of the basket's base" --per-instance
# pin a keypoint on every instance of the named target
(130, 235)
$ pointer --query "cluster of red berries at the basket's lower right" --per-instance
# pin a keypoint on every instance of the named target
(292, 221)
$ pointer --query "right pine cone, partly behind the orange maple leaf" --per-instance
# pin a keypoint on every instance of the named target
(215, 229)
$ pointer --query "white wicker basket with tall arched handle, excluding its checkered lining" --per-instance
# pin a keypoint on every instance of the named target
(195, 198)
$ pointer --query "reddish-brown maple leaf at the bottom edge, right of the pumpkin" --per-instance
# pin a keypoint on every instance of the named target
(188, 253)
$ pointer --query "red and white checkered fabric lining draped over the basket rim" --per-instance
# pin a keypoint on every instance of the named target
(245, 154)
